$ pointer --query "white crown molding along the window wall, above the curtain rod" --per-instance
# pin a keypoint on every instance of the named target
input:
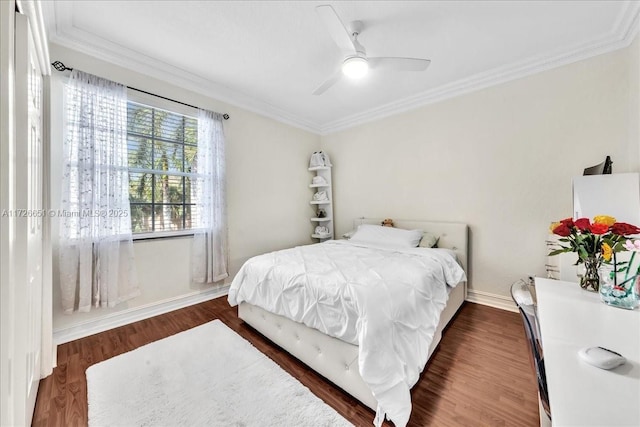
(63, 33)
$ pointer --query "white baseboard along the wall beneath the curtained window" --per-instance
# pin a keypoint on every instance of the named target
(131, 315)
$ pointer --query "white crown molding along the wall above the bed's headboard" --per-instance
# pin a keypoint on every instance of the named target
(621, 36)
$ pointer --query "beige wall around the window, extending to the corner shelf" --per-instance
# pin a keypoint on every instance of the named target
(267, 183)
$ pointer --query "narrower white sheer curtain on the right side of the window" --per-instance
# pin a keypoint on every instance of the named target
(209, 261)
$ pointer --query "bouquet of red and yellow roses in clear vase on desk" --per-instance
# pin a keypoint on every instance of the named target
(595, 243)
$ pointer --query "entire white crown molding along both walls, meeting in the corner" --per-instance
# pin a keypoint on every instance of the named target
(61, 31)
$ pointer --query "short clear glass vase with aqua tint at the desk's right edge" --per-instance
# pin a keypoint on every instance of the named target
(619, 289)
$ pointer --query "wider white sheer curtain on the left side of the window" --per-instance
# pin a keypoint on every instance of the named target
(96, 247)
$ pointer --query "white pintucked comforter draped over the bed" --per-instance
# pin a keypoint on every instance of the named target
(387, 301)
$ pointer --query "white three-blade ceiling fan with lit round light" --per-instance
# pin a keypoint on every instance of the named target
(356, 63)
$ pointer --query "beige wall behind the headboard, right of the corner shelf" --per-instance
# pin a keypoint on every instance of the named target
(500, 159)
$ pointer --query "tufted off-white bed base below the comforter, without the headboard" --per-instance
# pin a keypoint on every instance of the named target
(332, 358)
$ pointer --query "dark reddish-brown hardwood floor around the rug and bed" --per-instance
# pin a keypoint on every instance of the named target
(480, 374)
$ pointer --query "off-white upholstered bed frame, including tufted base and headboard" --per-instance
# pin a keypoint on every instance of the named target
(337, 360)
